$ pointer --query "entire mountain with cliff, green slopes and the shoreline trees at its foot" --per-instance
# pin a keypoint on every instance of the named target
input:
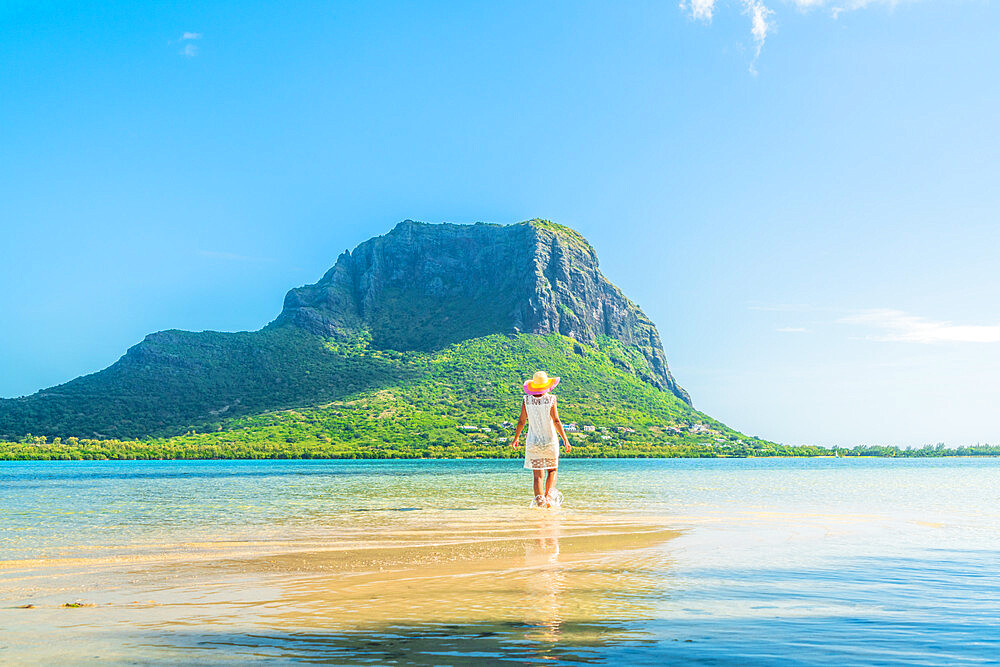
(413, 368)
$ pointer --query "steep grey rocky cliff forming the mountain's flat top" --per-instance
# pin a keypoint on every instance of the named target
(423, 287)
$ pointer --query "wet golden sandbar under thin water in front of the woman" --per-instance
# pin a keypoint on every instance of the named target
(548, 576)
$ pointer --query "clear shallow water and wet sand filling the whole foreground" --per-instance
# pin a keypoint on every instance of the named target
(778, 561)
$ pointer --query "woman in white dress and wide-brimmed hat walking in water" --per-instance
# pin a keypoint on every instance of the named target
(541, 446)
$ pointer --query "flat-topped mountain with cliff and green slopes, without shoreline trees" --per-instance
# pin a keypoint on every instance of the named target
(426, 311)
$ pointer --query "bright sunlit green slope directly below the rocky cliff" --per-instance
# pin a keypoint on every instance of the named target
(456, 402)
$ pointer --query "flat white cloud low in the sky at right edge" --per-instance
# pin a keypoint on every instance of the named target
(898, 326)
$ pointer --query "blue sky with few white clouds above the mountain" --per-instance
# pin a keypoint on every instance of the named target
(813, 228)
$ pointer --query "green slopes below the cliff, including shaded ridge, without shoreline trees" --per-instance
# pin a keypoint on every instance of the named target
(162, 388)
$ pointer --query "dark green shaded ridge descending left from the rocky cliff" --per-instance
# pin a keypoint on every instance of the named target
(175, 381)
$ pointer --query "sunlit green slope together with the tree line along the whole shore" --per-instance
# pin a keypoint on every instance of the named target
(455, 403)
